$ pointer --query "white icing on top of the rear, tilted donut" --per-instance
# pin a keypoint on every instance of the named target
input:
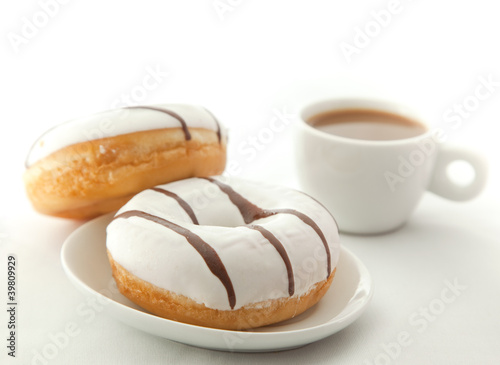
(116, 122)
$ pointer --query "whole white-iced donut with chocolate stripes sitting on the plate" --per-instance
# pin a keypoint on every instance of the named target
(223, 252)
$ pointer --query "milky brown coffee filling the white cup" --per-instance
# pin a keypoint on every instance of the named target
(367, 124)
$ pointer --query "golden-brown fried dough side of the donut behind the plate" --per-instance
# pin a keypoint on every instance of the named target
(91, 178)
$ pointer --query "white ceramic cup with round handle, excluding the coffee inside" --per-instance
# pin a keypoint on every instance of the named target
(373, 186)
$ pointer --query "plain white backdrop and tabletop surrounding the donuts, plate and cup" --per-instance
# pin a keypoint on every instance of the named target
(244, 62)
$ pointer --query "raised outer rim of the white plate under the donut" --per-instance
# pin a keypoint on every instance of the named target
(322, 330)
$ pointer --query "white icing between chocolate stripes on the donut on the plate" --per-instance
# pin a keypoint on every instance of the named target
(165, 258)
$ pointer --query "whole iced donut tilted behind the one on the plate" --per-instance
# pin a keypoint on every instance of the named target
(90, 166)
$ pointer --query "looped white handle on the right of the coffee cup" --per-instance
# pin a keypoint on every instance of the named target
(442, 185)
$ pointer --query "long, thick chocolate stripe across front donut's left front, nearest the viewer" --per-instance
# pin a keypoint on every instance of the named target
(210, 256)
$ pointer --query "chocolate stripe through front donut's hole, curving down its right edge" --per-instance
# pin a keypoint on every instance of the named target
(251, 212)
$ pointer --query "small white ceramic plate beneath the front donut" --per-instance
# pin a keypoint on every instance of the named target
(85, 262)
